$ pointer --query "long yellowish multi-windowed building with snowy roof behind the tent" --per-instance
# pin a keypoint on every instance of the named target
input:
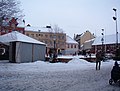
(54, 41)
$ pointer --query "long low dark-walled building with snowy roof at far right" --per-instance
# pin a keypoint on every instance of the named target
(109, 44)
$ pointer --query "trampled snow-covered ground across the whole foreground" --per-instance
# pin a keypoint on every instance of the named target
(77, 75)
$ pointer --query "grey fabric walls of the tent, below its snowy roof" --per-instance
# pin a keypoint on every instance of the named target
(27, 52)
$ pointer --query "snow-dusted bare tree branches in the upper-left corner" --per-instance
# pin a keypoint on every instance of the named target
(10, 8)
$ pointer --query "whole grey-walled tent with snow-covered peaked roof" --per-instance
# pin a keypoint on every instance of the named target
(23, 48)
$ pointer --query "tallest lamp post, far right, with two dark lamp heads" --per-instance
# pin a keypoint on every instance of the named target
(115, 18)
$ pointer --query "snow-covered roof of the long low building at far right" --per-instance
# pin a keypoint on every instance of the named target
(108, 39)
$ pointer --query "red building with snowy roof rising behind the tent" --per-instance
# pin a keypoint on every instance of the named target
(9, 25)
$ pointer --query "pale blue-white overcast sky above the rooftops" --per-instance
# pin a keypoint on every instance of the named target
(73, 16)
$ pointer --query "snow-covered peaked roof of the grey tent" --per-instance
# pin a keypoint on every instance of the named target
(16, 36)
